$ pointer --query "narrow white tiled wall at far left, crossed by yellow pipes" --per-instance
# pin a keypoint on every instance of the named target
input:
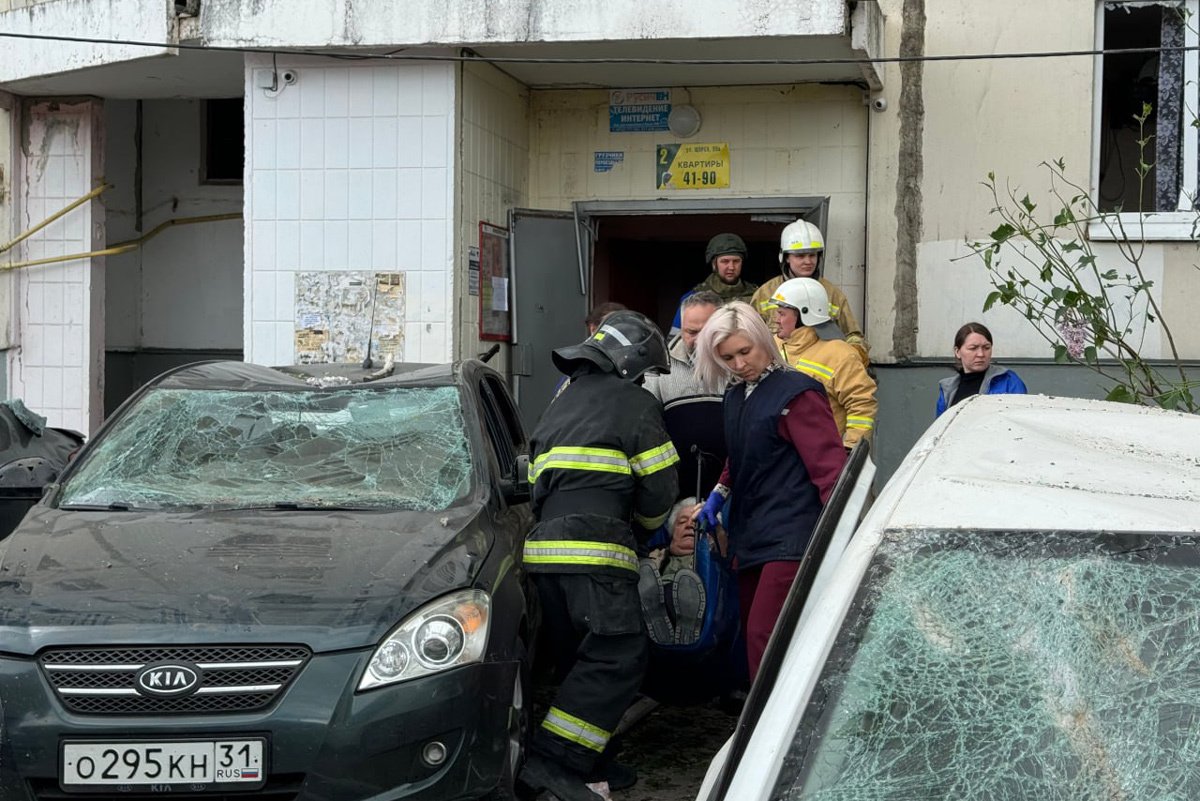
(57, 368)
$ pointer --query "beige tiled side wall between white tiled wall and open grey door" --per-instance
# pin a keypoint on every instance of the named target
(495, 174)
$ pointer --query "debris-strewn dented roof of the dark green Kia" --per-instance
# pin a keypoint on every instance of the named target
(245, 376)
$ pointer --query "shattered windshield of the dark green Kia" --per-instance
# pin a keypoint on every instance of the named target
(392, 448)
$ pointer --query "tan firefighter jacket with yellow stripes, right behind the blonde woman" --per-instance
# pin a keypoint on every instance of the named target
(838, 366)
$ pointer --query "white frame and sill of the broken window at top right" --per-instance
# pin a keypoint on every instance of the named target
(1161, 226)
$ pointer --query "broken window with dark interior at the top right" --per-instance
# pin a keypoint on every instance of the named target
(1162, 77)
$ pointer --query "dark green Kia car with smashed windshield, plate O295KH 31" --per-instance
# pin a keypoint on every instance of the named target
(295, 585)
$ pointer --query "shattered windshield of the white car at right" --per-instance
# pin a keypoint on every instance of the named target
(1011, 666)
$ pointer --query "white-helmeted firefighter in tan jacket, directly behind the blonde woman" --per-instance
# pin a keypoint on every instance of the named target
(813, 345)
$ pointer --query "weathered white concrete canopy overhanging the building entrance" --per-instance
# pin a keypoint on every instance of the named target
(623, 43)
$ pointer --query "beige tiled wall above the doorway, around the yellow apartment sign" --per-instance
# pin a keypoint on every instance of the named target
(784, 141)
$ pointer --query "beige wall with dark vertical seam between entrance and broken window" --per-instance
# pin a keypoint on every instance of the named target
(1005, 117)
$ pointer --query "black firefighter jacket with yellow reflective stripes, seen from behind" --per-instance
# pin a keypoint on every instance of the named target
(601, 461)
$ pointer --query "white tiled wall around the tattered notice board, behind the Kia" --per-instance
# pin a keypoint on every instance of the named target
(350, 168)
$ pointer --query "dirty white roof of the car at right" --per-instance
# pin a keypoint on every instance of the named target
(1043, 463)
